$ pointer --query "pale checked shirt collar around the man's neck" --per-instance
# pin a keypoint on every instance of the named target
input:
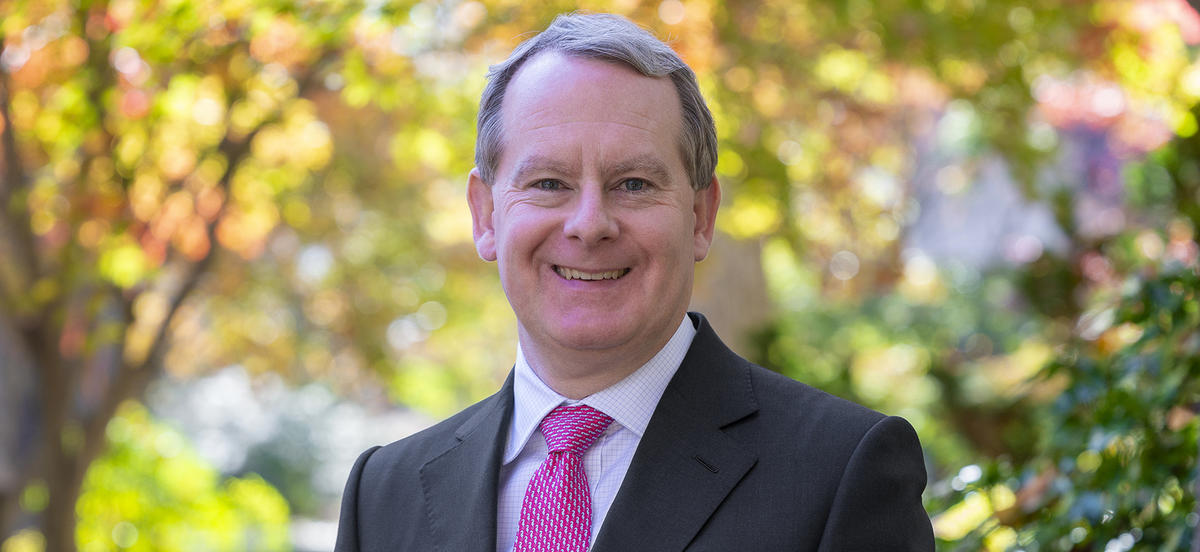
(631, 403)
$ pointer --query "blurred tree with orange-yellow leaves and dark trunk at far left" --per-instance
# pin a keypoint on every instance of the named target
(130, 152)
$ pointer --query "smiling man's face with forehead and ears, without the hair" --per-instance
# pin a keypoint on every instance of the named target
(592, 218)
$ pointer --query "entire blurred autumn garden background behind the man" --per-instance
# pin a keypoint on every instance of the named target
(236, 251)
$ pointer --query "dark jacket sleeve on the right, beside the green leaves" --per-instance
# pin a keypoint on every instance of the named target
(878, 506)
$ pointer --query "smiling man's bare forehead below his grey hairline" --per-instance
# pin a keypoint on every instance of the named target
(556, 101)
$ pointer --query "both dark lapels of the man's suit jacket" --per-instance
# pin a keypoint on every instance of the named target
(685, 465)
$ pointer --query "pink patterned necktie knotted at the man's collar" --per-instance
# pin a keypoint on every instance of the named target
(556, 515)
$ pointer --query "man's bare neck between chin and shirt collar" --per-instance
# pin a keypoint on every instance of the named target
(577, 374)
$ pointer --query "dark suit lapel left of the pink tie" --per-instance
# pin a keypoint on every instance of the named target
(461, 483)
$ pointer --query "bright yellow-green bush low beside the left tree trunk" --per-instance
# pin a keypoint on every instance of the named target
(149, 479)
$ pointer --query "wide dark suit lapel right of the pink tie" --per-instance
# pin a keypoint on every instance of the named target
(686, 465)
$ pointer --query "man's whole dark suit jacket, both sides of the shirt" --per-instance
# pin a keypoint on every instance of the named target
(736, 458)
